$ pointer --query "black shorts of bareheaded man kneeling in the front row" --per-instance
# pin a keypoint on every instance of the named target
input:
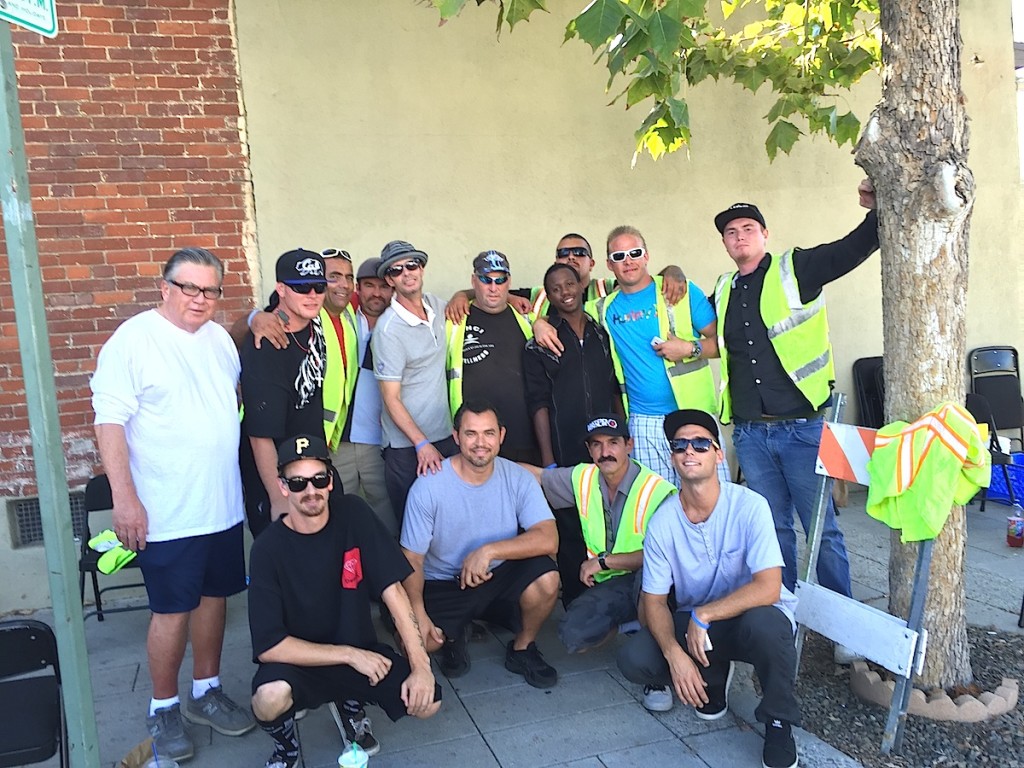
(497, 601)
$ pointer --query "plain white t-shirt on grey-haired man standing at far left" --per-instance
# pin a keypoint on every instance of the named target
(175, 394)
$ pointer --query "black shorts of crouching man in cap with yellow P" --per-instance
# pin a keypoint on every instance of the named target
(313, 687)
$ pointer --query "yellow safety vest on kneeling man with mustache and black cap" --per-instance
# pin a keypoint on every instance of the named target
(647, 493)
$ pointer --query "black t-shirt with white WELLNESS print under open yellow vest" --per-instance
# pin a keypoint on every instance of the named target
(492, 359)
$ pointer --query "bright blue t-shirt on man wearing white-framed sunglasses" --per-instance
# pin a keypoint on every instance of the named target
(632, 321)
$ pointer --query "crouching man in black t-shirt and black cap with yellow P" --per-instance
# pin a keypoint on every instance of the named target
(314, 575)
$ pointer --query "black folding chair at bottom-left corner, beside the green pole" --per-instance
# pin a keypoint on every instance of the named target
(34, 728)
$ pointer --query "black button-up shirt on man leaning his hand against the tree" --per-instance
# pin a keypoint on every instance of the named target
(758, 385)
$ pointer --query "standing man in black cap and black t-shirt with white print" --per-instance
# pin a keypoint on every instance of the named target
(282, 390)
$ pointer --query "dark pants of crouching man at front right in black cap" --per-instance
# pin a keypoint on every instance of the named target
(762, 636)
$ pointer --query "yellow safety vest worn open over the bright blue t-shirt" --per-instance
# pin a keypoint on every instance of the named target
(692, 381)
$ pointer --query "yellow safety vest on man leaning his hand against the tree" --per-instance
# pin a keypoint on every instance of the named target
(798, 332)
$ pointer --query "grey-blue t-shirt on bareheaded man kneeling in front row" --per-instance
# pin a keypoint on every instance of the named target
(447, 518)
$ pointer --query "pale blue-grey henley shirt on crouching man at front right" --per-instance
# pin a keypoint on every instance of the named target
(708, 561)
